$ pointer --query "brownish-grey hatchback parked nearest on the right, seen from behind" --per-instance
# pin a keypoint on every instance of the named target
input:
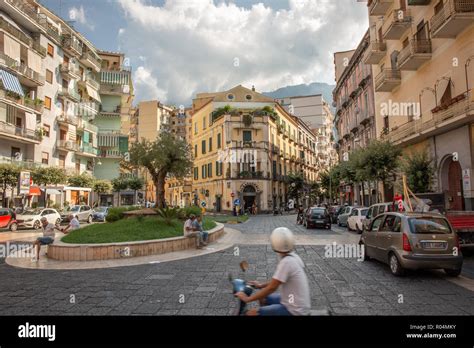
(413, 241)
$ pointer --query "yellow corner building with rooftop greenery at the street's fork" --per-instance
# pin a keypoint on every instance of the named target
(245, 145)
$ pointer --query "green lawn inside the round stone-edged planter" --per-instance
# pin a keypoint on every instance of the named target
(130, 230)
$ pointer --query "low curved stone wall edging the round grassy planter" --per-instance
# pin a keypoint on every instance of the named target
(107, 251)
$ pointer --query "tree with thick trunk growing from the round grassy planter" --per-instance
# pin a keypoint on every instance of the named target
(165, 156)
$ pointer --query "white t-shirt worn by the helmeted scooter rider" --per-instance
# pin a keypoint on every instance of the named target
(294, 290)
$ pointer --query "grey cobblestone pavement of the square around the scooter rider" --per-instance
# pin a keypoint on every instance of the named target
(200, 286)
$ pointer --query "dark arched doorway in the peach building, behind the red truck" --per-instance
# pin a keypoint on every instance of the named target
(451, 178)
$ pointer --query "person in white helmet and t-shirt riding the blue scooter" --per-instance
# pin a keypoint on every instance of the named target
(290, 277)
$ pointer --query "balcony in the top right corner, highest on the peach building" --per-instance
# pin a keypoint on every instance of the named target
(453, 18)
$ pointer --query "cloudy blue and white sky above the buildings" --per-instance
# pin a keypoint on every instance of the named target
(178, 48)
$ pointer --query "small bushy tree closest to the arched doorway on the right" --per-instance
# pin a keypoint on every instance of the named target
(419, 168)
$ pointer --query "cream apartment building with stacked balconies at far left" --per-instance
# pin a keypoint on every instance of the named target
(49, 93)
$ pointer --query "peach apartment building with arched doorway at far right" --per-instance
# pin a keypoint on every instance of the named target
(420, 52)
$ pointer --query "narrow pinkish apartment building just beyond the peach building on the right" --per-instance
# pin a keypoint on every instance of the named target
(355, 111)
